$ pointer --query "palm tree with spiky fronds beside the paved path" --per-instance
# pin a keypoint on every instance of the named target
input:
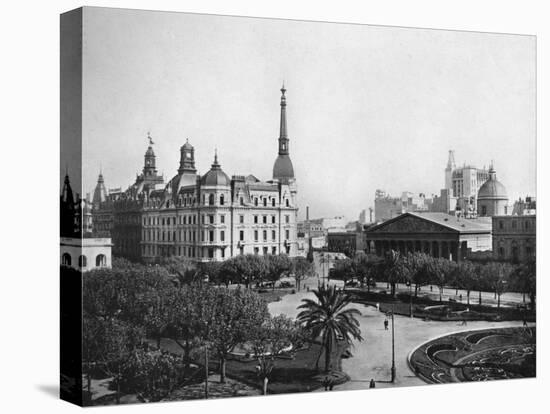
(327, 319)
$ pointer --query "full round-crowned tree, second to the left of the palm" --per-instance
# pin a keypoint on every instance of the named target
(233, 319)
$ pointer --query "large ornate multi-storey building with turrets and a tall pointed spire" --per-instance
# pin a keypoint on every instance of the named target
(209, 217)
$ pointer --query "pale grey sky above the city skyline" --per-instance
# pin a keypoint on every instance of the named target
(368, 107)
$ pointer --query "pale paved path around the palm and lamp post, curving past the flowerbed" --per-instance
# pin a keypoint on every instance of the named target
(372, 357)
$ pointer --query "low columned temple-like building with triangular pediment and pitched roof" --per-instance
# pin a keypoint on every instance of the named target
(437, 234)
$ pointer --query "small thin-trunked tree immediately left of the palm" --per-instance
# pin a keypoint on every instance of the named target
(270, 339)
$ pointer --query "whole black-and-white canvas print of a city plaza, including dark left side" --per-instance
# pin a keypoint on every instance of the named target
(254, 206)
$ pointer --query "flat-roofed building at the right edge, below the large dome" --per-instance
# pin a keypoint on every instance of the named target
(514, 237)
